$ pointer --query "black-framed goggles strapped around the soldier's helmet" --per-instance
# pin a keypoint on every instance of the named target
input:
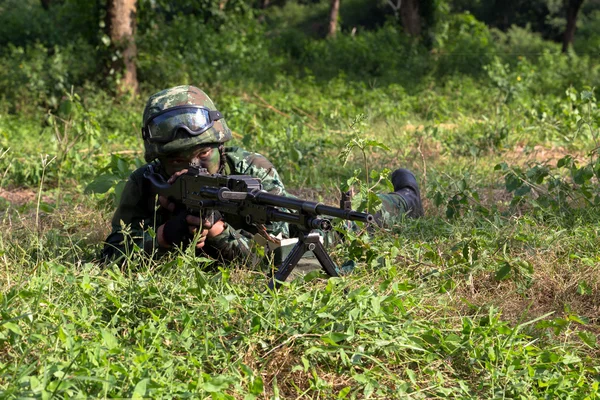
(163, 126)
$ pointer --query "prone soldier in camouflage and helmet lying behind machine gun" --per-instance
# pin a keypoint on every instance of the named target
(182, 127)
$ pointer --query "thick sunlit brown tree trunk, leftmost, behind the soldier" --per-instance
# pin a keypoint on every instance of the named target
(120, 16)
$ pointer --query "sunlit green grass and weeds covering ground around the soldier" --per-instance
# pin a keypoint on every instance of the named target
(494, 294)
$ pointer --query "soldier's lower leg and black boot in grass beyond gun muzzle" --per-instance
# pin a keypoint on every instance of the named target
(404, 201)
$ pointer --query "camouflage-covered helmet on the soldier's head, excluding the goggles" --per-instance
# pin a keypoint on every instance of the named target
(219, 132)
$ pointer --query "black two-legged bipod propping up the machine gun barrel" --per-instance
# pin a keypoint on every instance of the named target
(309, 242)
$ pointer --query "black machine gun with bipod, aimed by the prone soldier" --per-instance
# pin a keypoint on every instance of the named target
(241, 201)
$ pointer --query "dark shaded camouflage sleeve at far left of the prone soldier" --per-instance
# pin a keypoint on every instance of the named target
(131, 221)
